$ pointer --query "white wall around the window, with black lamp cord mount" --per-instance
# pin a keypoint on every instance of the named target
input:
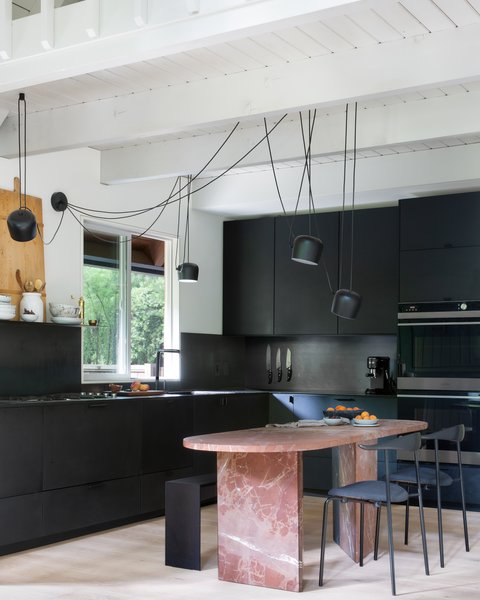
(76, 173)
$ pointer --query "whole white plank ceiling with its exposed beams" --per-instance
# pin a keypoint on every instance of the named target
(157, 101)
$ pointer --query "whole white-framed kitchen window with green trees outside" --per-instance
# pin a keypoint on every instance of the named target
(128, 308)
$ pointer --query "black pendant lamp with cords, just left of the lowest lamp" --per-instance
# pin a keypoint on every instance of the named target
(307, 249)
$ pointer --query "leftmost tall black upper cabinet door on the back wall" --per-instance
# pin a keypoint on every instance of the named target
(248, 271)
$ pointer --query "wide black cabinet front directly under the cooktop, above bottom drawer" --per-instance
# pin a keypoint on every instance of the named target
(88, 442)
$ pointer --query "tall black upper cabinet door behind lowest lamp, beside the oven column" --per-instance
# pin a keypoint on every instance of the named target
(375, 270)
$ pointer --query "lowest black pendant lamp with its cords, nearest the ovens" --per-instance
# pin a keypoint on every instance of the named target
(346, 302)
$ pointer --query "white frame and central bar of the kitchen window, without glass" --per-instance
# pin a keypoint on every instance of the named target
(171, 306)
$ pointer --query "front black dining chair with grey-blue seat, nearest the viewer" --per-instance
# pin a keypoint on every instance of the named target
(378, 493)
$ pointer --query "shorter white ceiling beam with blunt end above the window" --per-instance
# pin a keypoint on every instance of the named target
(384, 126)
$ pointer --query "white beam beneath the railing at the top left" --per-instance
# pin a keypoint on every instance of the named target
(228, 20)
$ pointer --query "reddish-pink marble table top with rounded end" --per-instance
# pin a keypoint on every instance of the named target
(298, 439)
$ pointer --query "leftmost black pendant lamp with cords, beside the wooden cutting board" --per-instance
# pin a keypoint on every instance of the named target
(21, 223)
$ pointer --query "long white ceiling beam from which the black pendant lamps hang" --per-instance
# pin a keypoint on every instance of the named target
(328, 80)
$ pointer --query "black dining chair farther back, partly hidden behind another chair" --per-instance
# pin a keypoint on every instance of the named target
(435, 477)
